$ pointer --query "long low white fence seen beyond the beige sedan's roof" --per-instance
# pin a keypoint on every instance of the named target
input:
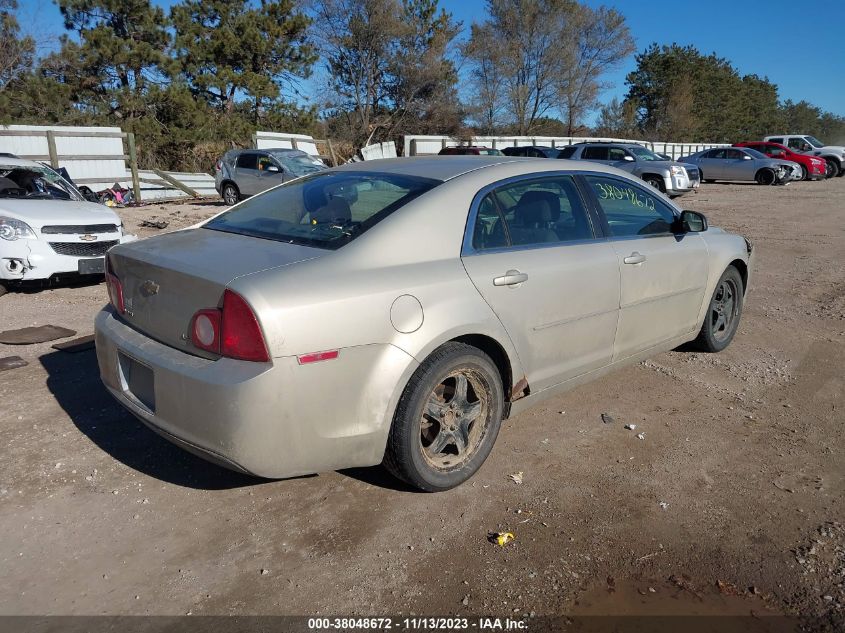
(418, 145)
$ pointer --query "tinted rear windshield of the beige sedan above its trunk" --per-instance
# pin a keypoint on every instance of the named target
(325, 210)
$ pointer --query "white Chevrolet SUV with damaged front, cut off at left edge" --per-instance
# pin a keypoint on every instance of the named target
(47, 228)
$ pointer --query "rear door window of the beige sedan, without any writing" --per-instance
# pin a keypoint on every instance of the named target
(529, 213)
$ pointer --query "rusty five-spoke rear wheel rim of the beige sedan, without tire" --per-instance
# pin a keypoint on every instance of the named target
(454, 420)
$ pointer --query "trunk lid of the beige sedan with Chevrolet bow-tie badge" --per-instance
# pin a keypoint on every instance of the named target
(168, 278)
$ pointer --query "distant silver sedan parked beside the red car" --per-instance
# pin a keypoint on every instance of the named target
(740, 163)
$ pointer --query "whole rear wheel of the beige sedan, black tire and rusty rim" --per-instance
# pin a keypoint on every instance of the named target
(433, 419)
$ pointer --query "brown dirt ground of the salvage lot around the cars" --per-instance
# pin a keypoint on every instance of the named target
(732, 502)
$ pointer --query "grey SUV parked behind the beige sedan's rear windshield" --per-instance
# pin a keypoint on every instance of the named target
(245, 172)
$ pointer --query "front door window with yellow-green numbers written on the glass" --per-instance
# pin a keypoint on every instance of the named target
(630, 210)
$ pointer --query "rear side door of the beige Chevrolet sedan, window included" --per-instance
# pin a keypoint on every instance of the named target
(533, 256)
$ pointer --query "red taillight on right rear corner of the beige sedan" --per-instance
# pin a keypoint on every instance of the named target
(231, 331)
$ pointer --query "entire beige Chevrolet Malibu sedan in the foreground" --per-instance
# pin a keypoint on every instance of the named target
(397, 311)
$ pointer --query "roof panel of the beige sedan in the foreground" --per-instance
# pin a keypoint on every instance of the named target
(448, 167)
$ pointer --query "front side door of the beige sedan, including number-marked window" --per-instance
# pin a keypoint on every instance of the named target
(663, 275)
